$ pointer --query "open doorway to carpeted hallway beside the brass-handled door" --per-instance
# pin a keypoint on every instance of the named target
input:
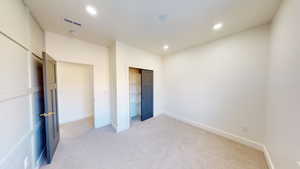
(75, 95)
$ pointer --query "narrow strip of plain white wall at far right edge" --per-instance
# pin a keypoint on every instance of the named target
(283, 138)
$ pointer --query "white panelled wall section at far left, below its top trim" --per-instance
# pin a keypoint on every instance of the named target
(15, 121)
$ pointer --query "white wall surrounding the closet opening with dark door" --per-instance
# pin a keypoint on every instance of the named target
(125, 57)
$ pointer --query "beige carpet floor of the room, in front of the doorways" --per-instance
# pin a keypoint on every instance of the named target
(159, 143)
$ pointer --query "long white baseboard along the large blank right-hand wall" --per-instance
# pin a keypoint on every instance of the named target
(219, 132)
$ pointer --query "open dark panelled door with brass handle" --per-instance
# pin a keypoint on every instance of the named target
(50, 100)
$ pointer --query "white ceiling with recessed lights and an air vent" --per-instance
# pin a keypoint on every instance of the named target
(149, 24)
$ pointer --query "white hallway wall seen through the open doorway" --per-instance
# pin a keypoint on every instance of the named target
(75, 91)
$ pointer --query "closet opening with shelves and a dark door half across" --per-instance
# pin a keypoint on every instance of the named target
(140, 94)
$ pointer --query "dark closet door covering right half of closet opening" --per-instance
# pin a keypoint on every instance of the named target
(147, 94)
